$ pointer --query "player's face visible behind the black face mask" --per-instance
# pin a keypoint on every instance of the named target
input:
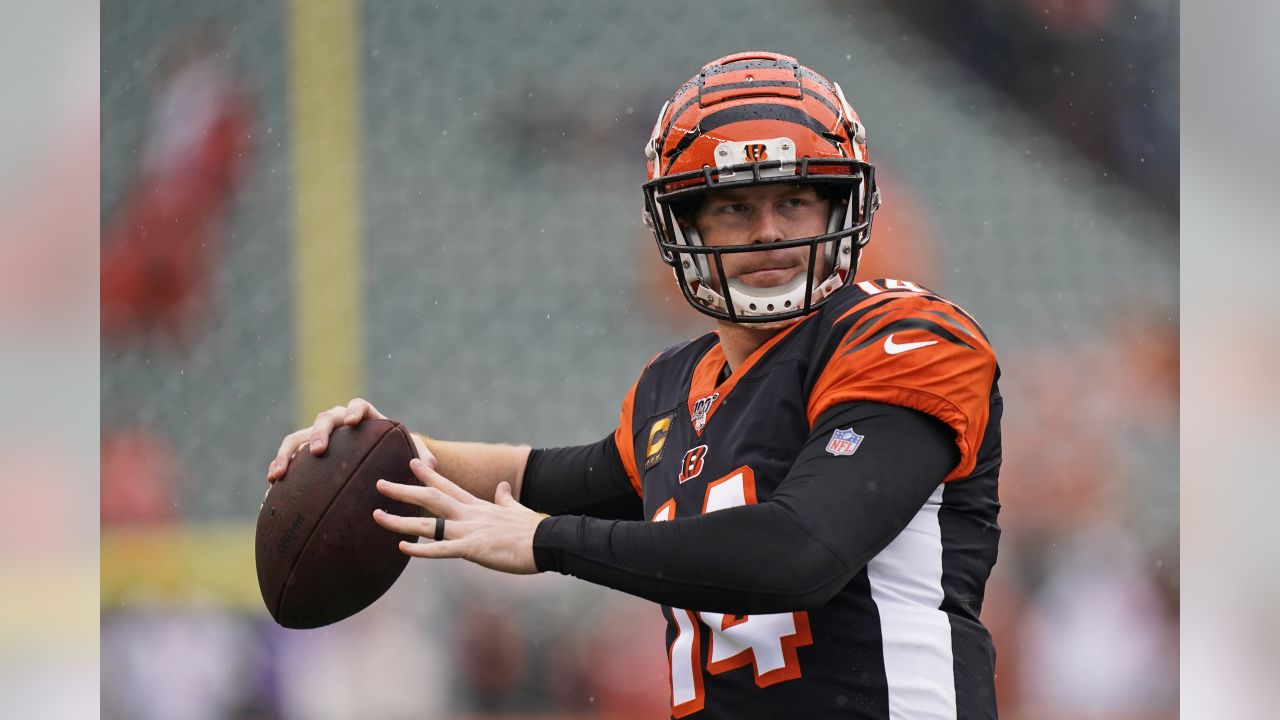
(761, 216)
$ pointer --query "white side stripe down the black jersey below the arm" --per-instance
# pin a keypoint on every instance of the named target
(907, 586)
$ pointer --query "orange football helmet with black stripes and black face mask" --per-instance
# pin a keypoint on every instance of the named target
(747, 120)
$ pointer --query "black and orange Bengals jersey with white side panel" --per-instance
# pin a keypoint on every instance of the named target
(903, 639)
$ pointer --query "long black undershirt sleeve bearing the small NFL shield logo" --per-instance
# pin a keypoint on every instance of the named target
(796, 552)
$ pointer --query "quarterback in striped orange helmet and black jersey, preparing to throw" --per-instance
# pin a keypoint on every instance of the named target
(810, 491)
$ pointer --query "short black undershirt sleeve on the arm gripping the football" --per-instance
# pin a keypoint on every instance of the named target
(580, 481)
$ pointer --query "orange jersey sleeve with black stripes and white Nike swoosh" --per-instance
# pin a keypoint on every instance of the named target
(916, 352)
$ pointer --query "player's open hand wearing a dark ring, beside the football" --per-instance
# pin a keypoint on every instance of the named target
(496, 535)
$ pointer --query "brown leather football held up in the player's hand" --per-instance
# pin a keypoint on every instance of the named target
(321, 555)
